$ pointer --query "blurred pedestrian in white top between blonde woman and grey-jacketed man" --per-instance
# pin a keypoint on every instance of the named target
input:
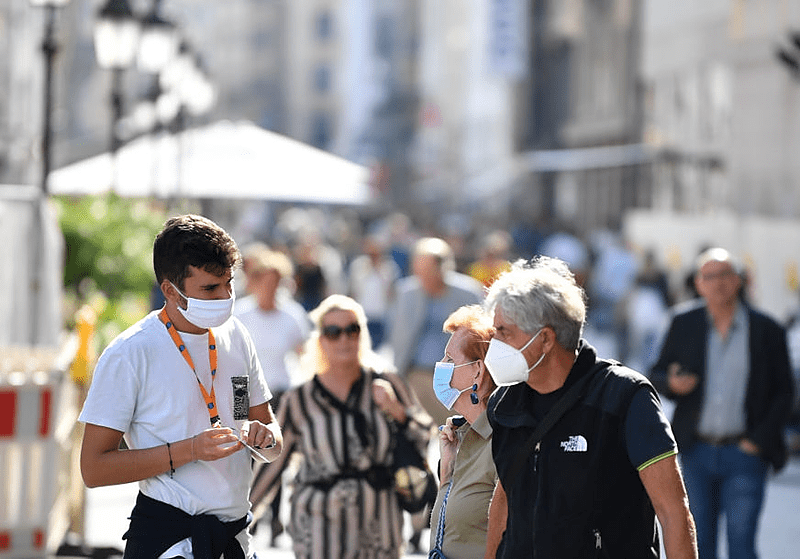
(373, 276)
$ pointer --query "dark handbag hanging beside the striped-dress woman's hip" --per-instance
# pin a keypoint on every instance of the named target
(414, 482)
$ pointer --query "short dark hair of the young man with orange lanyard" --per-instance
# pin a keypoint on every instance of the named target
(192, 240)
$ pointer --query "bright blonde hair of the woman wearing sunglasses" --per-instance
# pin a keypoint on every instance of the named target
(313, 360)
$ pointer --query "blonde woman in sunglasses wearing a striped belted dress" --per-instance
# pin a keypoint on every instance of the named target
(342, 423)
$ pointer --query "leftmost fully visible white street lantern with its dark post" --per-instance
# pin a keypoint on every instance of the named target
(116, 37)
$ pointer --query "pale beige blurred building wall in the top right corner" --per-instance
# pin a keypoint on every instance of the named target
(723, 114)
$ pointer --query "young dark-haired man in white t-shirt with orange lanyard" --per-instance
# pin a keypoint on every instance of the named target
(185, 388)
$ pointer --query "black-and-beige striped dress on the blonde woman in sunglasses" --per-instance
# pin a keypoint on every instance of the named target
(333, 514)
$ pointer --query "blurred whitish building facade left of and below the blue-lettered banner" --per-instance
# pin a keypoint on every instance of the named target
(464, 145)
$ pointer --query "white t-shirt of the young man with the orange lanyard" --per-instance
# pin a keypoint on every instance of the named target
(143, 387)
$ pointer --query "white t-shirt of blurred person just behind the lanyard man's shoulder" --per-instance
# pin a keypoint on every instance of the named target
(276, 334)
